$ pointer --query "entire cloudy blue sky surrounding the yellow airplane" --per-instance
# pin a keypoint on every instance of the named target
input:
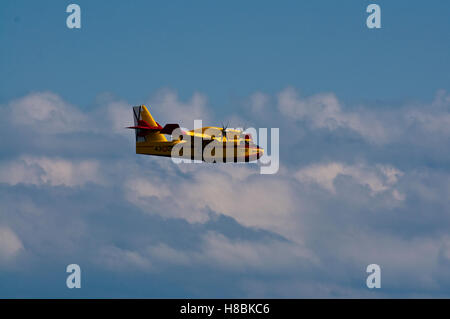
(364, 119)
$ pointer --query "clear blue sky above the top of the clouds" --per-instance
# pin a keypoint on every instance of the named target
(227, 49)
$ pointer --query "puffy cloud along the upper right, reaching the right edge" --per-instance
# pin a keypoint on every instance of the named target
(400, 123)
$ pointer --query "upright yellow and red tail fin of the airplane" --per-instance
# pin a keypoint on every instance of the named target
(146, 128)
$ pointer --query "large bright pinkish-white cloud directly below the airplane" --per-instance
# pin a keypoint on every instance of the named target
(234, 191)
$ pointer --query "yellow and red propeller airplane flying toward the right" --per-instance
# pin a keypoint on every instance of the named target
(209, 144)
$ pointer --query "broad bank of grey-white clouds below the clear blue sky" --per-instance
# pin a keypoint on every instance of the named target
(357, 185)
